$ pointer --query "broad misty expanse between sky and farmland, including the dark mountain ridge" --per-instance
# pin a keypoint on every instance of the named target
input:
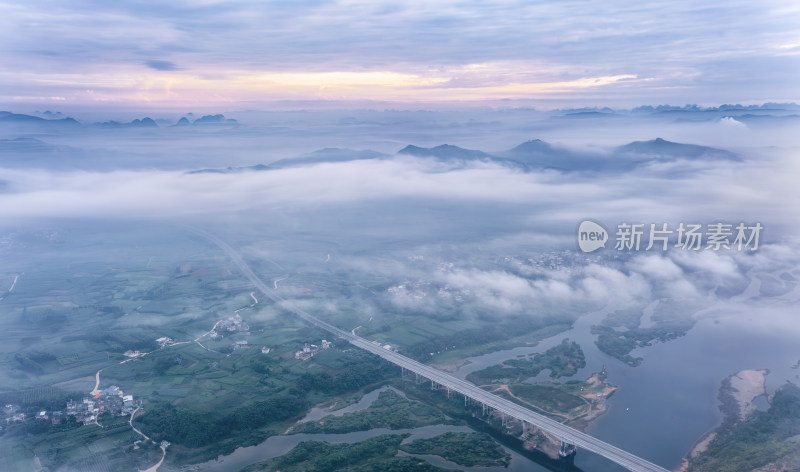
(480, 228)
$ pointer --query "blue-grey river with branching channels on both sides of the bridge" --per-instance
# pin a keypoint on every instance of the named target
(663, 405)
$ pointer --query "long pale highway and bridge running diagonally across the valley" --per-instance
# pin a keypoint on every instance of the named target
(560, 431)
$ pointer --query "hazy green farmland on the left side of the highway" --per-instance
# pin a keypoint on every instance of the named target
(78, 307)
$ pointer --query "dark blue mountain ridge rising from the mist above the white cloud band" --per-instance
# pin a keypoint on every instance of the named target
(530, 155)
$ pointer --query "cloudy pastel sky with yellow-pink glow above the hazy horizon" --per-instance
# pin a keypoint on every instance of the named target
(241, 54)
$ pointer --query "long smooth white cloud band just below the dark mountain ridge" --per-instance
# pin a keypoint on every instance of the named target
(39, 193)
